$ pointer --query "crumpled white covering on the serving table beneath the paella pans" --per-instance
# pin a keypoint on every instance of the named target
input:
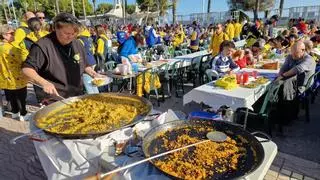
(77, 158)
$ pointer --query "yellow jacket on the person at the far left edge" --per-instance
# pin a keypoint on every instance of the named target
(11, 59)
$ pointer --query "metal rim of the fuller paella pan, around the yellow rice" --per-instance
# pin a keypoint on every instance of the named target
(57, 105)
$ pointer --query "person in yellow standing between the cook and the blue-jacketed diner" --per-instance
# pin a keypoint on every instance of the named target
(102, 47)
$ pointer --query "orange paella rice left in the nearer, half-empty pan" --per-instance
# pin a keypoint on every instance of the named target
(201, 161)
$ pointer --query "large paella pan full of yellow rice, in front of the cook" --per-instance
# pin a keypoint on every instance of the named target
(92, 115)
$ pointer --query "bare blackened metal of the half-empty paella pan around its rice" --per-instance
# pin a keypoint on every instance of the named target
(246, 164)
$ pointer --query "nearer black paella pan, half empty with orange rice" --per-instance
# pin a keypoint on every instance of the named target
(238, 156)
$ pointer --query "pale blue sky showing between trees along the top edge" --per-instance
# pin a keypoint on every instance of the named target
(195, 6)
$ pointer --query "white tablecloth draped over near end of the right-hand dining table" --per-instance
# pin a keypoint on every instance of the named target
(215, 96)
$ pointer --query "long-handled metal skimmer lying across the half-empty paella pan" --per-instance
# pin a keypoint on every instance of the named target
(215, 136)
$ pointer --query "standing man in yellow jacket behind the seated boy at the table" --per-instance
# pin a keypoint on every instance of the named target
(218, 37)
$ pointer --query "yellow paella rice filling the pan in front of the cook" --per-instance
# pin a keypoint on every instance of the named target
(94, 114)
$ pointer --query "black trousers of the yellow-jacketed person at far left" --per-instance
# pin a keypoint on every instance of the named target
(17, 99)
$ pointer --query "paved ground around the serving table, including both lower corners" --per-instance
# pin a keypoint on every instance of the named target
(298, 157)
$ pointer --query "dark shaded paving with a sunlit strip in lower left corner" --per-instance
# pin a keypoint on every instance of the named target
(18, 161)
